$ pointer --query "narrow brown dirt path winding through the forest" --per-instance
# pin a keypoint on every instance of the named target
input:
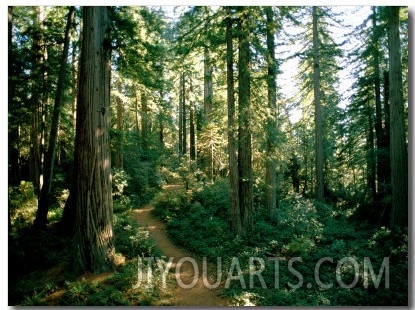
(197, 295)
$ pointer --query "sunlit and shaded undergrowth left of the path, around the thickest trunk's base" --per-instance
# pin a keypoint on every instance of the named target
(44, 275)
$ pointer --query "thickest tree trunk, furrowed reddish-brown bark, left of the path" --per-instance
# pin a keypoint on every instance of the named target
(93, 241)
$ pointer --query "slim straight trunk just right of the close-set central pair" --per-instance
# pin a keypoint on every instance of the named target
(271, 130)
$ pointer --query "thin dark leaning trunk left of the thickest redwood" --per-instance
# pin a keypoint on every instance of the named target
(42, 211)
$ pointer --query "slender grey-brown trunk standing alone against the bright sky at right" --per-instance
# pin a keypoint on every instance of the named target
(318, 114)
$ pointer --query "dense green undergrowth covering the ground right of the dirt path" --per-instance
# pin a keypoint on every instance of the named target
(303, 232)
